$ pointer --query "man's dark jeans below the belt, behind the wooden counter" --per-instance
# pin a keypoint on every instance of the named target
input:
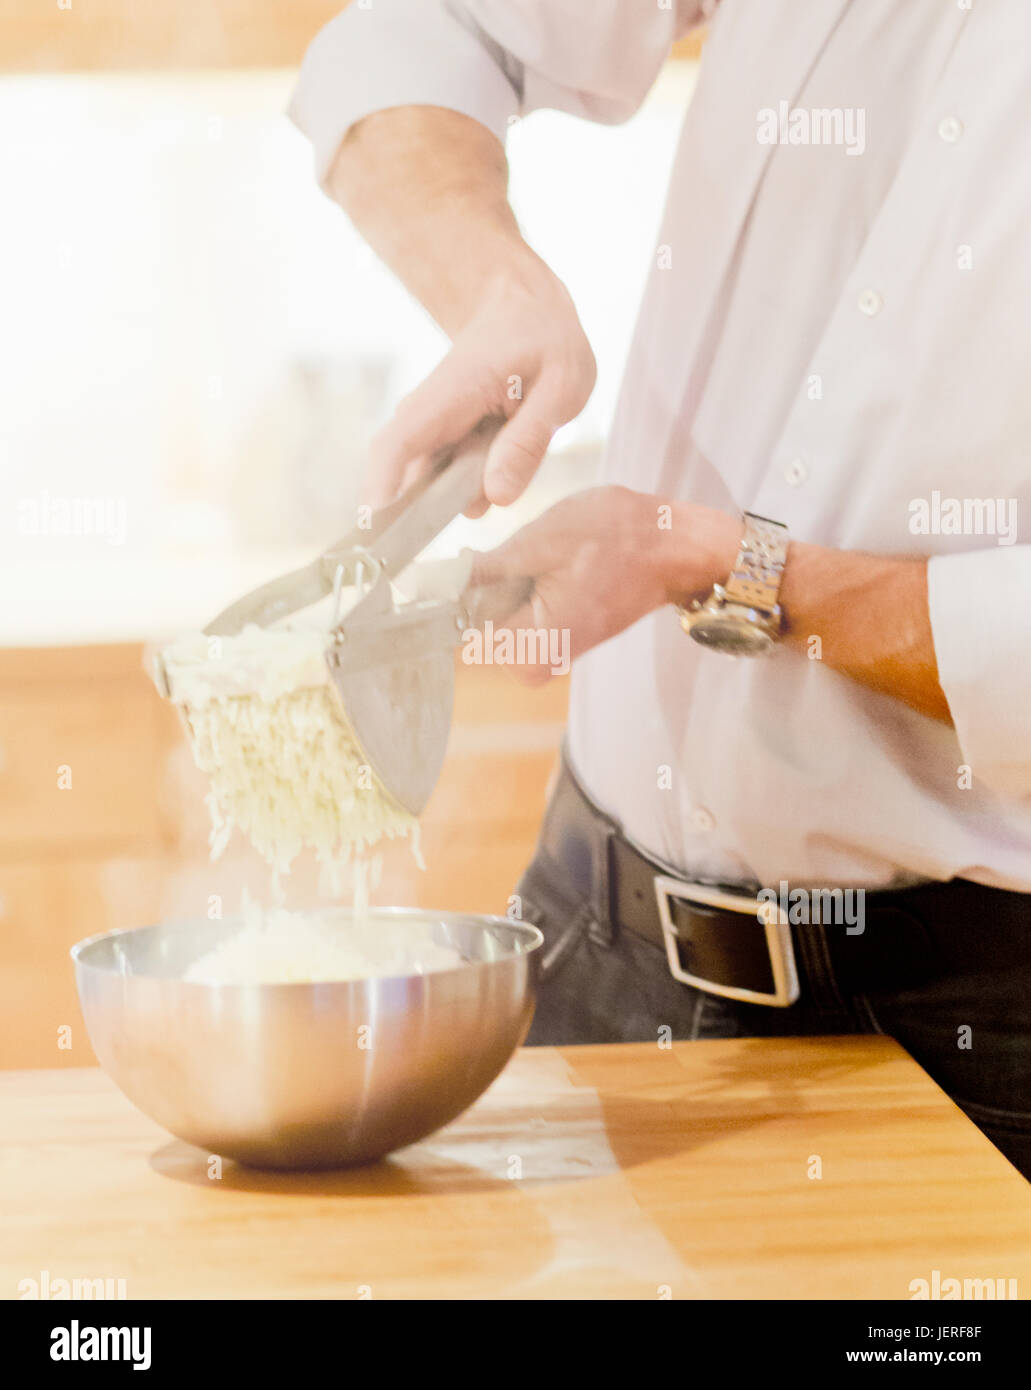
(604, 985)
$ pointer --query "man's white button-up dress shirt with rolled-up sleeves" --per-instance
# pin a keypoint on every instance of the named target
(827, 338)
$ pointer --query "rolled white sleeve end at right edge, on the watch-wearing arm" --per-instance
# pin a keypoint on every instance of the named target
(980, 607)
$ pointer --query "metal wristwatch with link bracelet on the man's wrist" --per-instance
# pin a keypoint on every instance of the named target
(743, 616)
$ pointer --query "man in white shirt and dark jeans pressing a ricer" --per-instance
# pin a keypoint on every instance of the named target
(820, 455)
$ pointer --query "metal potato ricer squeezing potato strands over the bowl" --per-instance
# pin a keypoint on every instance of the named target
(393, 664)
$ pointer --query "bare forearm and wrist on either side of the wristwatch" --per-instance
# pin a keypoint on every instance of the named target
(869, 612)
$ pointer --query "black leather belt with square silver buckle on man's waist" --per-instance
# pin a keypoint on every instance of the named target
(716, 939)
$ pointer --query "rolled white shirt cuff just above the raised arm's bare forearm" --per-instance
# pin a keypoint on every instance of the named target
(395, 54)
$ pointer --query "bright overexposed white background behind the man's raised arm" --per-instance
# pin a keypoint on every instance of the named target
(197, 345)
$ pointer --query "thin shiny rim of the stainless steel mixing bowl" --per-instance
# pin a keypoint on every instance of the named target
(534, 935)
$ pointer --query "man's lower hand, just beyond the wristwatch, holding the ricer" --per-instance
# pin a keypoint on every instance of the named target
(604, 559)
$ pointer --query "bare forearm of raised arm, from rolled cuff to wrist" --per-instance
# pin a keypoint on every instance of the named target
(429, 190)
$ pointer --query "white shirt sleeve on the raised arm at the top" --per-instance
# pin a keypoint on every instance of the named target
(490, 59)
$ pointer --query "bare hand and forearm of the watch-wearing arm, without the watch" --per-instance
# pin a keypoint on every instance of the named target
(604, 559)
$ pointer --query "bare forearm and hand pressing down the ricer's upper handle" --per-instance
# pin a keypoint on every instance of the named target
(429, 191)
